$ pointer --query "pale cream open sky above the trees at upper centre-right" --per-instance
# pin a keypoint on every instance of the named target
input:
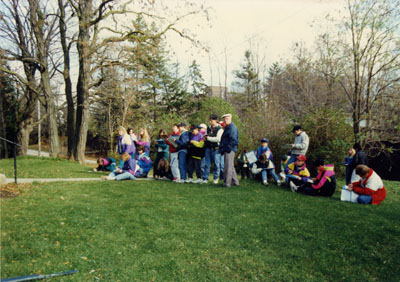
(272, 27)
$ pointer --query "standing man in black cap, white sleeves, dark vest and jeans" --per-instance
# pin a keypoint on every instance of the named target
(212, 154)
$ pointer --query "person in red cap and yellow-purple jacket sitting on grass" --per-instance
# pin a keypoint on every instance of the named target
(297, 173)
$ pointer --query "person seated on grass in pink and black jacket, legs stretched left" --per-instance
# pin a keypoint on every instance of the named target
(322, 185)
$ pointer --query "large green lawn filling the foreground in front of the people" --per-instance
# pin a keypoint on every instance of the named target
(162, 231)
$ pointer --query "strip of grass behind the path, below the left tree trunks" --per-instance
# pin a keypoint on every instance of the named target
(41, 167)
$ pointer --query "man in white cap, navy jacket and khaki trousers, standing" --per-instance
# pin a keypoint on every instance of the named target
(228, 147)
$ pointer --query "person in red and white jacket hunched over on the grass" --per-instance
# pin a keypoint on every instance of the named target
(369, 188)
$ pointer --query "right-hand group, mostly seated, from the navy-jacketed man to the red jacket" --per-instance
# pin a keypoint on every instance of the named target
(359, 177)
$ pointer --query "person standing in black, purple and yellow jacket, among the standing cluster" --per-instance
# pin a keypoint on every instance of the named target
(195, 154)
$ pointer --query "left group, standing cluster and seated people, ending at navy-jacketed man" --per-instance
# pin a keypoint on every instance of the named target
(181, 154)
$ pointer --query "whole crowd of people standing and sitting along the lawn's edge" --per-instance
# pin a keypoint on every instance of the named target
(187, 154)
